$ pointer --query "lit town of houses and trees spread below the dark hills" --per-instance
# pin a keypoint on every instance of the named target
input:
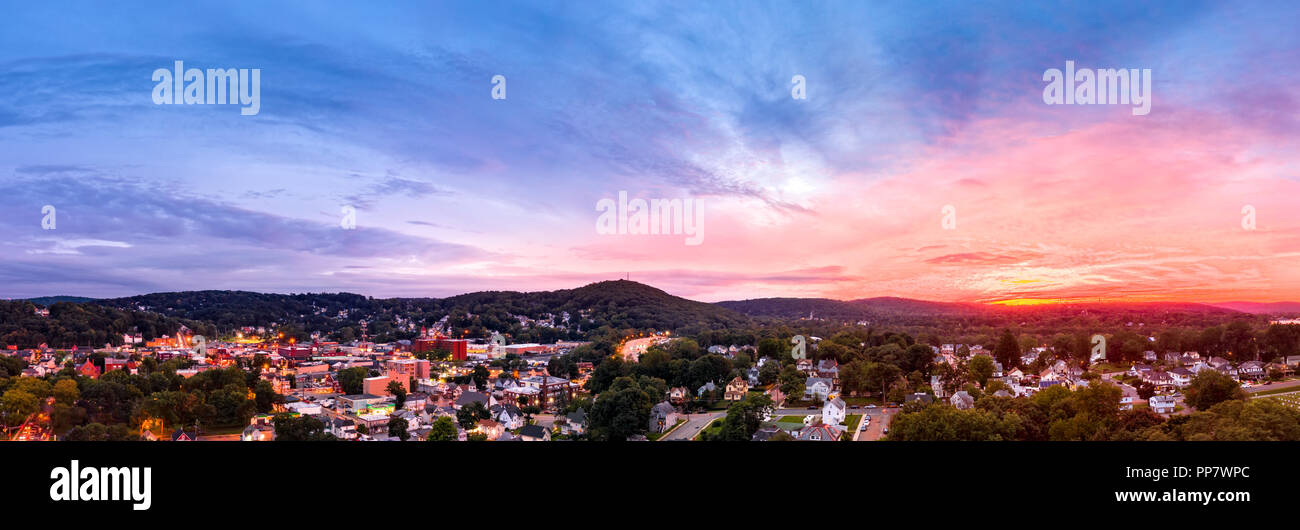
(261, 384)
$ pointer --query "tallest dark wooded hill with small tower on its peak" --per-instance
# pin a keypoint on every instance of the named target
(541, 316)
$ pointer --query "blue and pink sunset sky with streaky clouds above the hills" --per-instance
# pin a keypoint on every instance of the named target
(924, 162)
